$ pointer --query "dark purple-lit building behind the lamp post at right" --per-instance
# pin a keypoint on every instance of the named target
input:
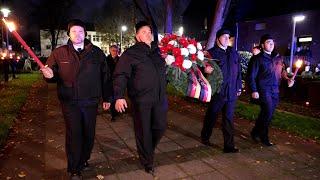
(307, 34)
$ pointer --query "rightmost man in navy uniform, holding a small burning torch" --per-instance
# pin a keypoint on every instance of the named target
(264, 80)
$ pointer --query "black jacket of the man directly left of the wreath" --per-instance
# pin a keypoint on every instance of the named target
(142, 70)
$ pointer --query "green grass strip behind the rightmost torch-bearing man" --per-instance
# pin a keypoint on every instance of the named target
(302, 125)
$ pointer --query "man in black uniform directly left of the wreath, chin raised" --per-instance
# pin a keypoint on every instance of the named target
(142, 70)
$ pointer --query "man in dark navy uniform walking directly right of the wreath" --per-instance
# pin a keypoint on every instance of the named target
(225, 100)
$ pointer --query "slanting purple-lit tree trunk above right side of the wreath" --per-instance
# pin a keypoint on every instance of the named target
(218, 20)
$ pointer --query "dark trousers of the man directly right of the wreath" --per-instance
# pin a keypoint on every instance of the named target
(216, 105)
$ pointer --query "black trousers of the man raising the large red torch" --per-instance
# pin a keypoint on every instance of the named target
(80, 121)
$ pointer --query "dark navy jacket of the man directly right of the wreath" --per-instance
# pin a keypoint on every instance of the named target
(230, 66)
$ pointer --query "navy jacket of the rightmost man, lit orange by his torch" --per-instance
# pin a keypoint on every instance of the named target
(265, 74)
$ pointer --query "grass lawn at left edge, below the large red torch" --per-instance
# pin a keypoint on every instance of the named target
(12, 97)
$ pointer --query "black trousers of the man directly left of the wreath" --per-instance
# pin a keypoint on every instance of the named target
(150, 122)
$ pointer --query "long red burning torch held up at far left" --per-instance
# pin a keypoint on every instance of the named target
(12, 29)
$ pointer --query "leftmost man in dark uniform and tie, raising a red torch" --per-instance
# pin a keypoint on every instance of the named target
(82, 77)
